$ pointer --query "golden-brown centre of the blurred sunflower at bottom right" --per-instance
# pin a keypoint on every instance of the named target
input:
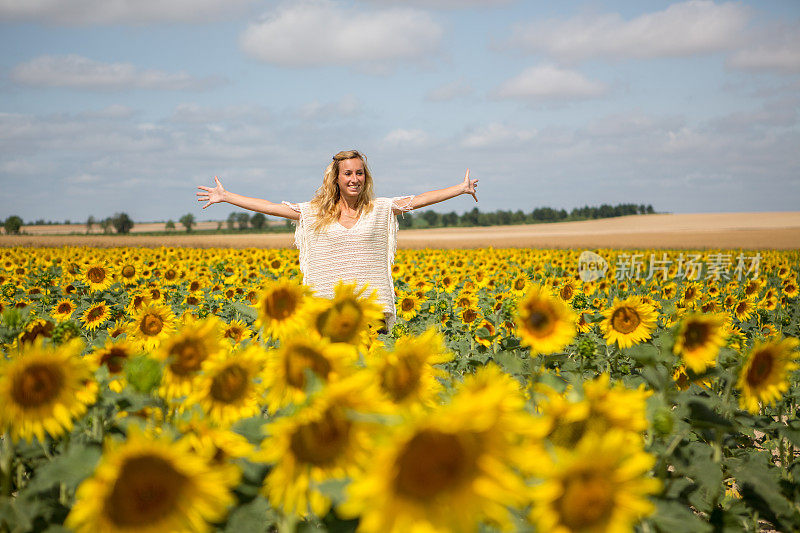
(587, 500)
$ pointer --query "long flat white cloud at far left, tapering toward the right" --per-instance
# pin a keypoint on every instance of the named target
(83, 73)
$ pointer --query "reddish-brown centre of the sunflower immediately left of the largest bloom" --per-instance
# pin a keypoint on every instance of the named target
(320, 442)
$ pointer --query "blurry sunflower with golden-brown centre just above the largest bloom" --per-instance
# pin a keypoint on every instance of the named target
(406, 375)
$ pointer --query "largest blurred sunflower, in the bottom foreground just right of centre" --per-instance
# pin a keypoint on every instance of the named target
(449, 469)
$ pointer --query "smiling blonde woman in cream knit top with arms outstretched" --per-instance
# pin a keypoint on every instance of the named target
(344, 233)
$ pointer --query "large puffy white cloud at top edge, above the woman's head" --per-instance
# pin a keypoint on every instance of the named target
(320, 32)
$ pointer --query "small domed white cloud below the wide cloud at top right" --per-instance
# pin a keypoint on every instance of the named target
(548, 82)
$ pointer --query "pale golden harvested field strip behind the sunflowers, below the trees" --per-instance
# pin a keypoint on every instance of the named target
(778, 230)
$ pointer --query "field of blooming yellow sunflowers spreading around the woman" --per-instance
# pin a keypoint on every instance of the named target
(181, 389)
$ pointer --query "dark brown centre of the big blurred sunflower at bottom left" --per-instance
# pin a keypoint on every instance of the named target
(147, 491)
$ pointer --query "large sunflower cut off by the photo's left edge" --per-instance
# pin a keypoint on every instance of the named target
(43, 389)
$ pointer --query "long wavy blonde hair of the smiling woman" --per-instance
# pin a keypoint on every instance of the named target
(326, 199)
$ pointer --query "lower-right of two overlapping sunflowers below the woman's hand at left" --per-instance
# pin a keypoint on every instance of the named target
(230, 385)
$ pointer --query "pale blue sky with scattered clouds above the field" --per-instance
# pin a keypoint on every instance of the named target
(129, 105)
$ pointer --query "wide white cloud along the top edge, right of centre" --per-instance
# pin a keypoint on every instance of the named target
(683, 29)
